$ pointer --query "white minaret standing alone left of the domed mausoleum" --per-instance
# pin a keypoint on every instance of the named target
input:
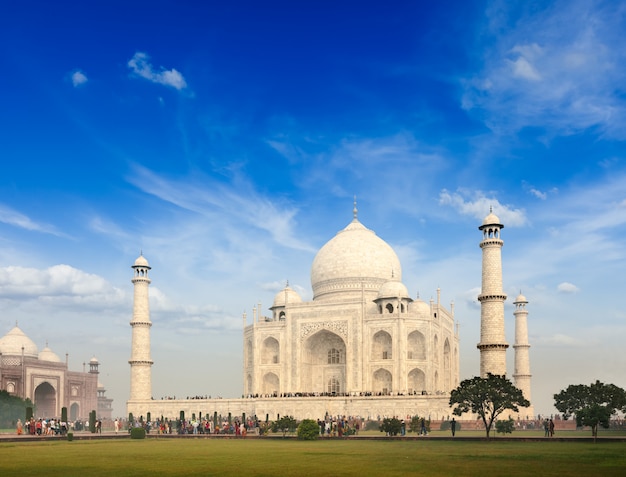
(140, 362)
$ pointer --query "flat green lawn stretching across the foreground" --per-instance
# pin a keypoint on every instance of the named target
(277, 457)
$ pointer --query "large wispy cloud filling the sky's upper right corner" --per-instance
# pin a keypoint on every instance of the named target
(560, 67)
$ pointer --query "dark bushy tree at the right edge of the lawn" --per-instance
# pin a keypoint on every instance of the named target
(592, 405)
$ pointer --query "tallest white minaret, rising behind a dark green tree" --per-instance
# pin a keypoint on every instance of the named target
(492, 344)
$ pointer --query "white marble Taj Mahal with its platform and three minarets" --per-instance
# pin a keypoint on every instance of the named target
(361, 347)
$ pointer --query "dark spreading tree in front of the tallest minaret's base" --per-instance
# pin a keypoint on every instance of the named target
(487, 397)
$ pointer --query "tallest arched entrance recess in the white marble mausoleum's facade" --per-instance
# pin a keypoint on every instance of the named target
(324, 364)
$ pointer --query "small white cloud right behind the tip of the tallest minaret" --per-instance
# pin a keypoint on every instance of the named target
(479, 207)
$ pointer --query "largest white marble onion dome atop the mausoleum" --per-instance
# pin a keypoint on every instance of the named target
(356, 260)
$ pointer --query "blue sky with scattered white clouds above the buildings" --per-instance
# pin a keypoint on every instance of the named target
(227, 140)
